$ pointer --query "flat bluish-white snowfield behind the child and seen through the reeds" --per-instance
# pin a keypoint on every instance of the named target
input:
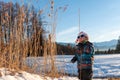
(104, 65)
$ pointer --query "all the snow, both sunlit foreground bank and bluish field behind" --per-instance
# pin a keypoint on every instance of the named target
(104, 66)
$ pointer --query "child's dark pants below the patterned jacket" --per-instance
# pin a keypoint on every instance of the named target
(85, 74)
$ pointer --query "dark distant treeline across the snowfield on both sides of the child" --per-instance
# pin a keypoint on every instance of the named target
(69, 50)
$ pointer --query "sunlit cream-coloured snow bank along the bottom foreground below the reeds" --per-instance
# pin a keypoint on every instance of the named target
(7, 75)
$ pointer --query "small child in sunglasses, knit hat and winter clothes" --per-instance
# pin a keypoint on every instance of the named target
(84, 57)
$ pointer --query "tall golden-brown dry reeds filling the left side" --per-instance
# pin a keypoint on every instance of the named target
(22, 35)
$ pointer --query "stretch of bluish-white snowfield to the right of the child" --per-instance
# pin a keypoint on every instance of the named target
(107, 66)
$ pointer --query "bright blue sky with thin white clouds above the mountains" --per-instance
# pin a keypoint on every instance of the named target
(99, 18)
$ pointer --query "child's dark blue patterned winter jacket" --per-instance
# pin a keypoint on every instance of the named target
(84, 55)
